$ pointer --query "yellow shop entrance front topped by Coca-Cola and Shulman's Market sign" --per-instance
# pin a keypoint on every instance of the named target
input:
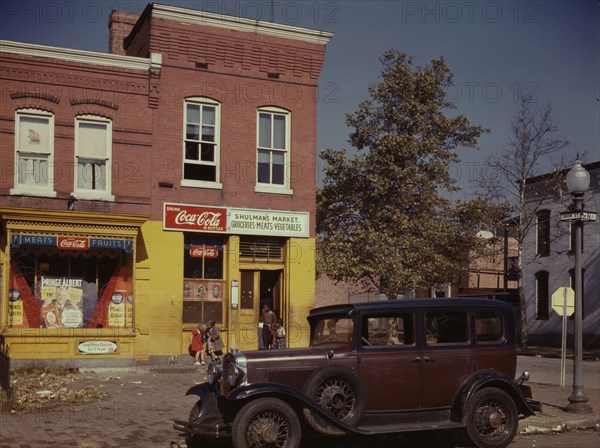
(234, 261)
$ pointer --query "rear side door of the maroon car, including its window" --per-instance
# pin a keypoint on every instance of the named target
(447, 356)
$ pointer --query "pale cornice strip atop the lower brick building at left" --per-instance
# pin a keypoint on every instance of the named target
(76, 56)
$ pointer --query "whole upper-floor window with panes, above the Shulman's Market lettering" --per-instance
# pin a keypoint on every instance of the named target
(273, 151)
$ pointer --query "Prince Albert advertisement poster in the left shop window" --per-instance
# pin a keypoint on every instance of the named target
(61, 302)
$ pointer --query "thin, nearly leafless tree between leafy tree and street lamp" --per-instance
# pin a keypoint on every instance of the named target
(533, 144)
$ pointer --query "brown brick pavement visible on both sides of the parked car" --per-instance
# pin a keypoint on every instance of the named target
(141, 405)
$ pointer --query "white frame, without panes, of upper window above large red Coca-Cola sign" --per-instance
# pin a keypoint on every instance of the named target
(216, 184)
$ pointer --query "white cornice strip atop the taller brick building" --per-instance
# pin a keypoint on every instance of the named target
(234, 23)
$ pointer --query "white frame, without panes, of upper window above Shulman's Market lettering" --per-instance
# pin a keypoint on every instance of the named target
(284, 188)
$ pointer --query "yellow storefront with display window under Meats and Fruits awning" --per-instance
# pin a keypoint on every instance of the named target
(68, 289)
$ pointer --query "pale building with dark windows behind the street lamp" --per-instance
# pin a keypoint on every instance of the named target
(549, 263)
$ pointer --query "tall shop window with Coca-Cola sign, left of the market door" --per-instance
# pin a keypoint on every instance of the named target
(203, 284)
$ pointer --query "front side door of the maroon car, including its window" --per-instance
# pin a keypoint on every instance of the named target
(389, 361)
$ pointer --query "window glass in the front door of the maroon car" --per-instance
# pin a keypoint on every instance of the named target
(394, 329)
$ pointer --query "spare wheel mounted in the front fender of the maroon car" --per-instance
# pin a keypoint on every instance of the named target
(339, 391)
